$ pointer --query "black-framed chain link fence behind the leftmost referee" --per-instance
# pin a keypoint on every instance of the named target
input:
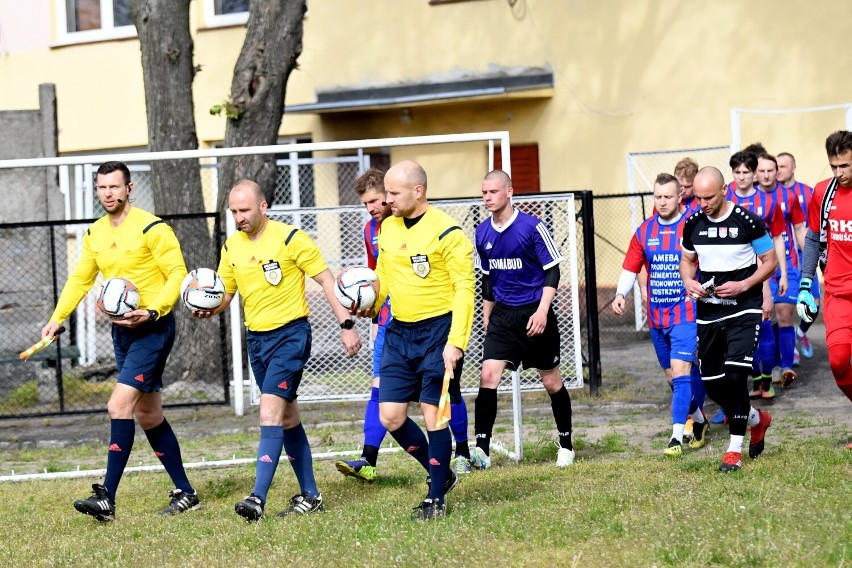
(77, 372)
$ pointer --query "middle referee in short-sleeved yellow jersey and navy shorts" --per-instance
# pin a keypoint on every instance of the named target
(267, 261)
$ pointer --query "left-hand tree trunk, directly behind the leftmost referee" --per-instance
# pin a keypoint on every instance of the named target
(167, 66)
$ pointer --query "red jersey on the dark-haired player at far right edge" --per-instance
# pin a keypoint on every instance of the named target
(838, 268)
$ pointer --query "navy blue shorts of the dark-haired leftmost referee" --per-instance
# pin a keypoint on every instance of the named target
(141, 352)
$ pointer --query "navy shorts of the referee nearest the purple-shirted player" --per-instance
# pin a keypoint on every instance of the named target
(413, 361)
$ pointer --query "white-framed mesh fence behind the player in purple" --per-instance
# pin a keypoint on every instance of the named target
(329, 375)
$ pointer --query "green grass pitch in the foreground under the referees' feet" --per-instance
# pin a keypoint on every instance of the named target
(617, 506)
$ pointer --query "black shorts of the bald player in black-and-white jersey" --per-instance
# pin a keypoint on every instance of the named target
(729, 341)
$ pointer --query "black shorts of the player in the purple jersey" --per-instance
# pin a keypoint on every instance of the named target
(507, 339)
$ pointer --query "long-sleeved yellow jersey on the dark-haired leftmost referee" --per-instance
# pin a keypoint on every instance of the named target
(142, 249)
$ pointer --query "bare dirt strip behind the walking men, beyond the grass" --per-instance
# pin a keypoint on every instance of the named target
(634, 400)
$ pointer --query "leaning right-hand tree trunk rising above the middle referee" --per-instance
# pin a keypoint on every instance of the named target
(272, 46)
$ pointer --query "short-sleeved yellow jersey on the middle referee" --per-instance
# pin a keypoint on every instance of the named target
(270, 273)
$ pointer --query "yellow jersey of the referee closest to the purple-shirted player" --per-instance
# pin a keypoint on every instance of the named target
(427, 270)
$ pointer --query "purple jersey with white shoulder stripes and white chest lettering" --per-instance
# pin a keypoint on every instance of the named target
(515, 257)
